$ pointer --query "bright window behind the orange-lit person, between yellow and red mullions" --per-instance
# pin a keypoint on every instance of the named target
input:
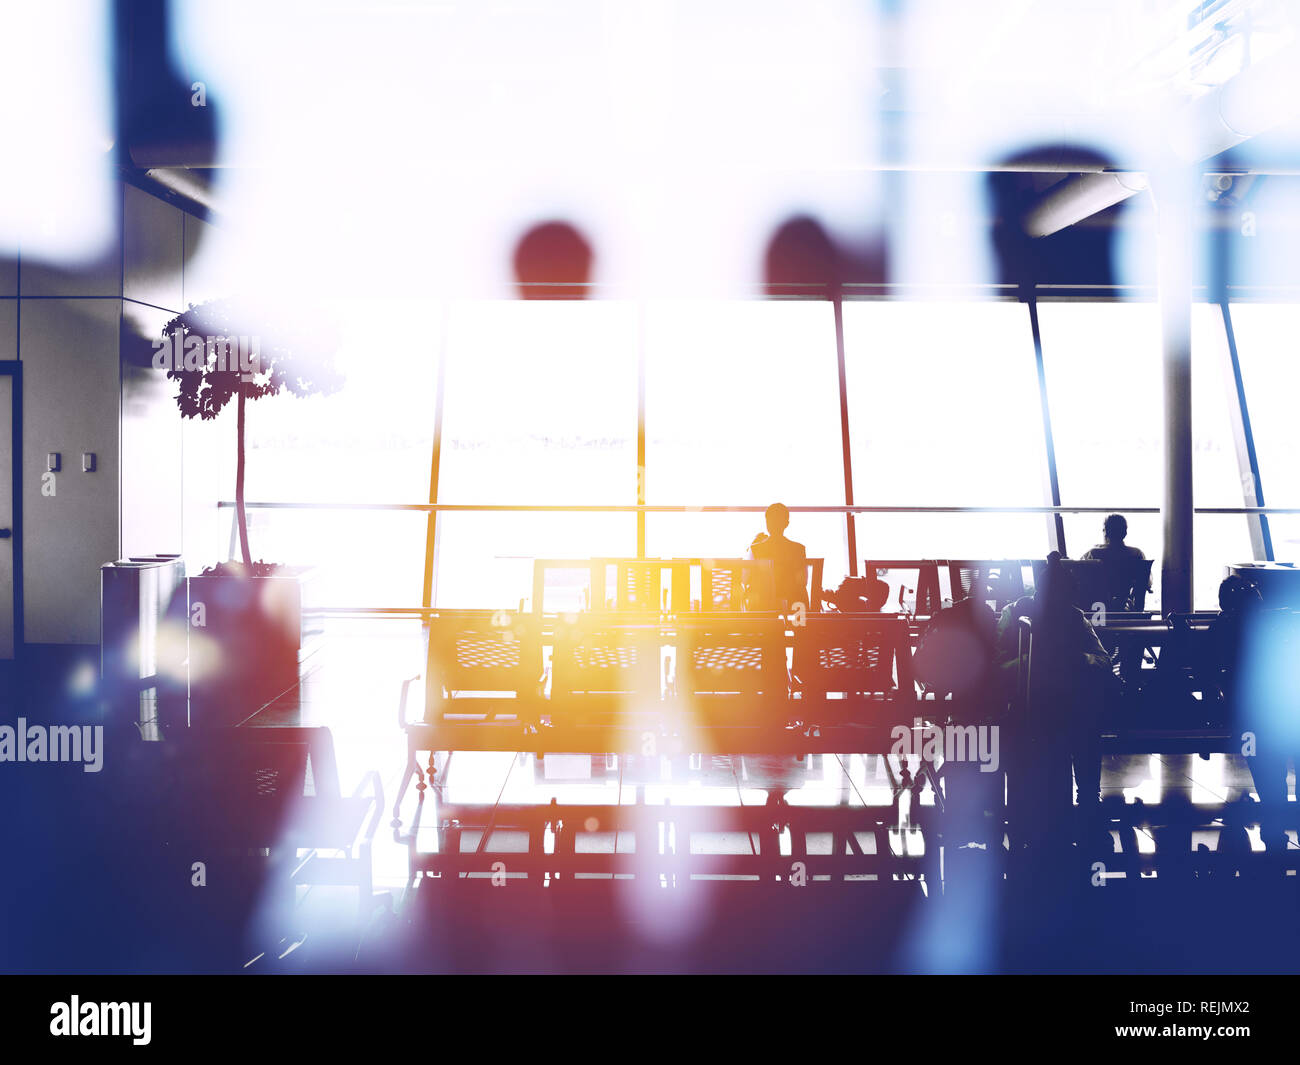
(743, 409)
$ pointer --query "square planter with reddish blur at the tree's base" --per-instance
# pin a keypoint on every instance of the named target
(246, 643)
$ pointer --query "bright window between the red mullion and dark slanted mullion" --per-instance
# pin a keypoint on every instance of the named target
(944, 412)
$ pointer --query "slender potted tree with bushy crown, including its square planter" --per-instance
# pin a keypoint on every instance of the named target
(246, 618)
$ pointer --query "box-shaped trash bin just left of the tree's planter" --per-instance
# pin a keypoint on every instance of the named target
(142, 638)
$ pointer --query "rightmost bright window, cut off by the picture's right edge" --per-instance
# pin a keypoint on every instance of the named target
(1267, 345)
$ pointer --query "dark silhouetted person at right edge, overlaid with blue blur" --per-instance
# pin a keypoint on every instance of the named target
(1255, 655)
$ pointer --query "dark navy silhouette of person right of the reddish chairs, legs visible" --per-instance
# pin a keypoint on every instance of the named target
(1071, 682)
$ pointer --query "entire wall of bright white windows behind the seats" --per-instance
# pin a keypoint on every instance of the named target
(743, 409)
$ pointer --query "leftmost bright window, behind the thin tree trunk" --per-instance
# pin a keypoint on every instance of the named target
(370, 443)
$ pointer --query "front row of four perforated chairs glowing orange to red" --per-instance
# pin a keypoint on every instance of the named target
(609, 665)
